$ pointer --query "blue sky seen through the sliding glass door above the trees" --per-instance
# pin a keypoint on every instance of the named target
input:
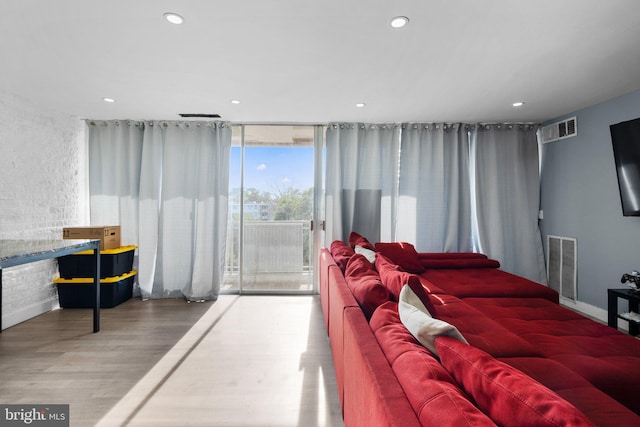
(272, 168)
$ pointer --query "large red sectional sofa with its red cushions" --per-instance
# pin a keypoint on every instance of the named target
(527, 360)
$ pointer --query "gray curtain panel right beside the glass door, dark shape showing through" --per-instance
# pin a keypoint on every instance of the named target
(361, 180)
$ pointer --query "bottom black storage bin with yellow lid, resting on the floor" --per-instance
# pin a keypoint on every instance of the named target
(78, 293)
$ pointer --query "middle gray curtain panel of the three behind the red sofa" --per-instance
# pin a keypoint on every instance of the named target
(434, 204)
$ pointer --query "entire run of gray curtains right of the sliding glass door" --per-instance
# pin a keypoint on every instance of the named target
(460, 187)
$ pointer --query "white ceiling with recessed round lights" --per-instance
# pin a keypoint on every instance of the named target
(304, 61)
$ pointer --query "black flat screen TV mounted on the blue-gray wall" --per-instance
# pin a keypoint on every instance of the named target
(625, 137)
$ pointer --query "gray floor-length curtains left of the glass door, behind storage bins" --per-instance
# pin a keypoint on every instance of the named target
(166, 184)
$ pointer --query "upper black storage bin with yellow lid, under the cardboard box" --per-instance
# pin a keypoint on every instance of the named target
(113, 262)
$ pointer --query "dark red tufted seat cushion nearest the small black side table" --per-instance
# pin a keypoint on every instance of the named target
(607, 358)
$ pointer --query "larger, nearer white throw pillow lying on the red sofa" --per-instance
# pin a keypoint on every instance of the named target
(417, 319)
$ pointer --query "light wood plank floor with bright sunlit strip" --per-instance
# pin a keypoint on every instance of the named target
(241, 361)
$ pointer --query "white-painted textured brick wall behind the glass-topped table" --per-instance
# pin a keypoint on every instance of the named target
(42, 189)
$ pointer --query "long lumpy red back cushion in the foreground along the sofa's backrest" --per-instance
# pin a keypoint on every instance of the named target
(433, 394)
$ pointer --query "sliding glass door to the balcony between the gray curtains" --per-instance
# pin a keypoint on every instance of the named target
(270, 248)
